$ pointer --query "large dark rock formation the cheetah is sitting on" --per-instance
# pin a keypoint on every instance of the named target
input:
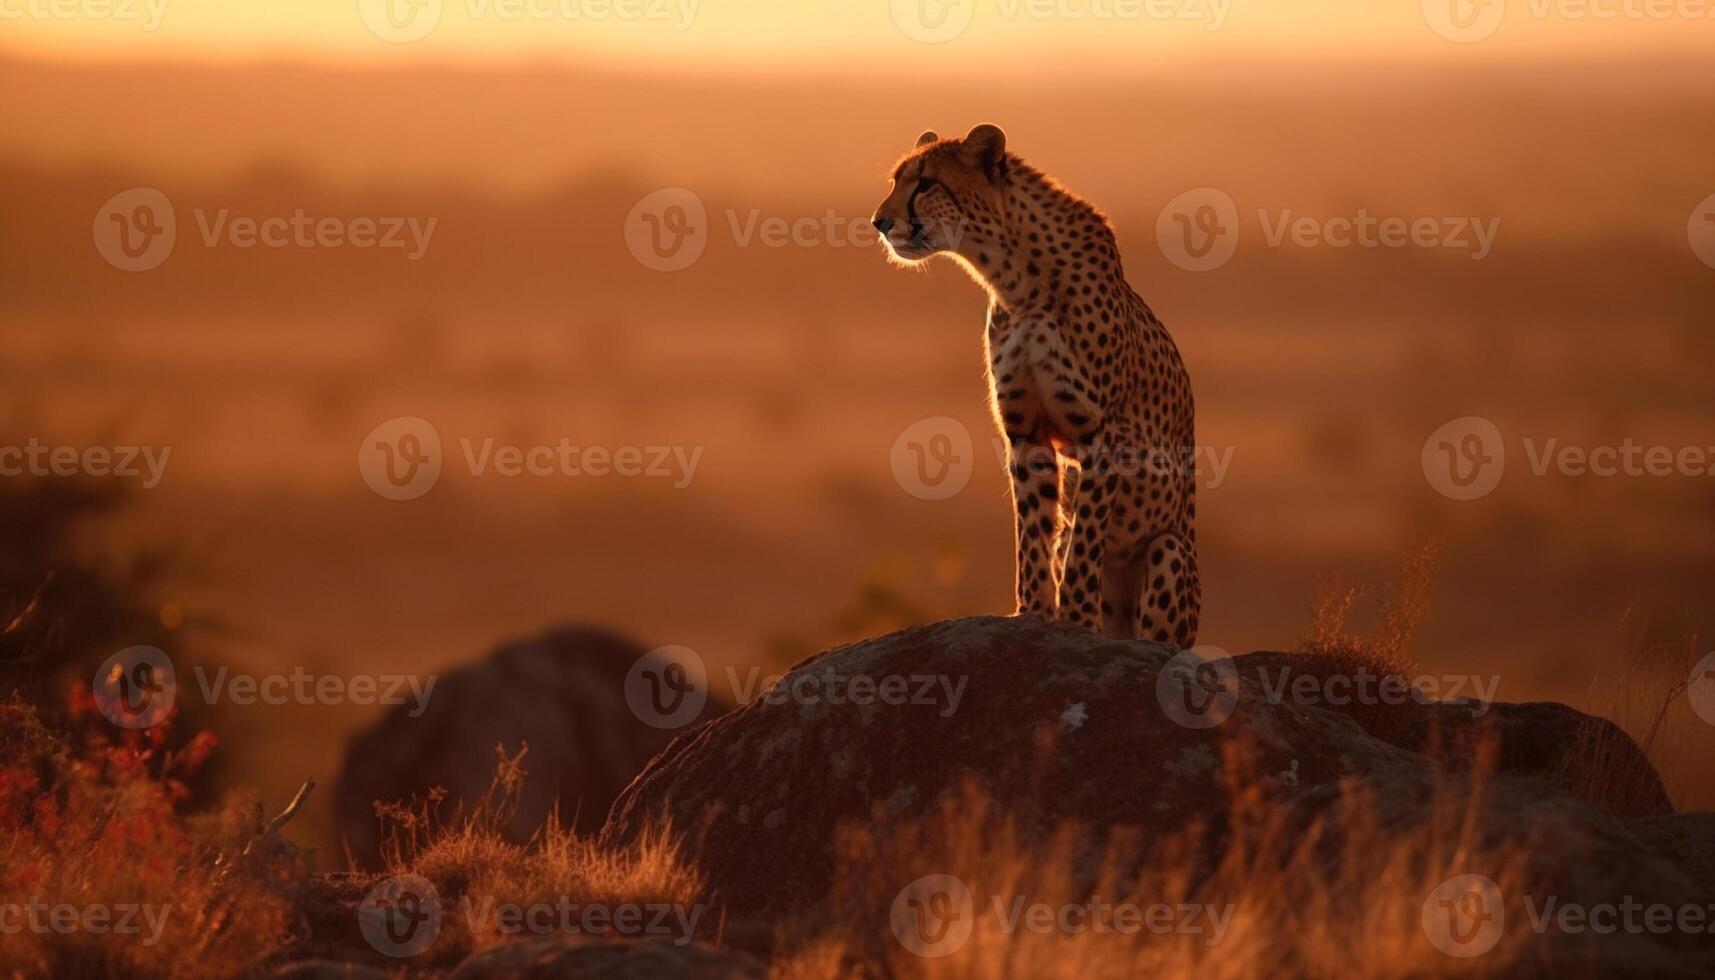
(1061, 725)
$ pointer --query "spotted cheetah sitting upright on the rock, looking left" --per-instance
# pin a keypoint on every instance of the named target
(1085, 384)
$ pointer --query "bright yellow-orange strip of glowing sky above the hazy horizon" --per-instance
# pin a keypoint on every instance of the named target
(912, 35)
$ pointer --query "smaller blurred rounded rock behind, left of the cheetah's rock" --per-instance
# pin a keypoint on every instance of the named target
(563, 694)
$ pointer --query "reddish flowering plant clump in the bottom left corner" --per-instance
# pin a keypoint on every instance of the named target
(105, 869)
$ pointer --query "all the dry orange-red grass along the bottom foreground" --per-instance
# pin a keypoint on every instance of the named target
(1280, 897)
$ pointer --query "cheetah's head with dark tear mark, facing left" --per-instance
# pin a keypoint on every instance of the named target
(944, 190)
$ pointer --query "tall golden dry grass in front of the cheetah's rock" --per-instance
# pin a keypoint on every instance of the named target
(1339, 898)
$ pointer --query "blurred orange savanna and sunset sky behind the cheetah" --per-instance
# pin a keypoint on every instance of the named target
(788, 358)
